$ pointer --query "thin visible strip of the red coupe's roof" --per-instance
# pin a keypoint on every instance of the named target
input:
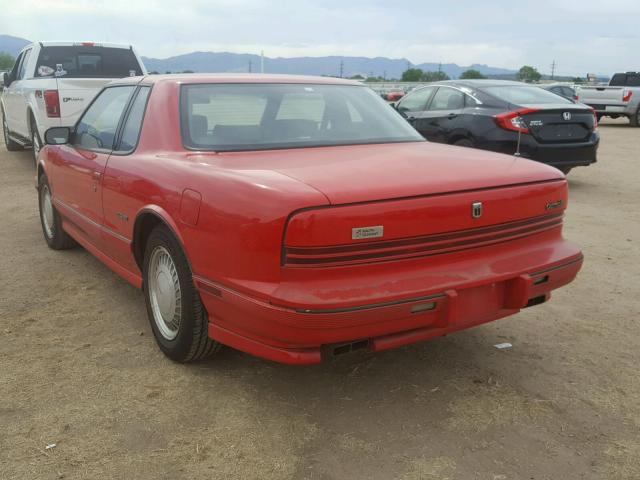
(196, 78)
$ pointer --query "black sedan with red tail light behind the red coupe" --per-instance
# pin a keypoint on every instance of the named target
(506, 117)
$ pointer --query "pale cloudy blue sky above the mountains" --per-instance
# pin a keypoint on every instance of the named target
(580, 35)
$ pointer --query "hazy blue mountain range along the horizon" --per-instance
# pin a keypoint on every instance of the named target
(224, 62)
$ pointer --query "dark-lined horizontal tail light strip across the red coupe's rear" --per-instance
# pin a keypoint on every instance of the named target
(417, 246)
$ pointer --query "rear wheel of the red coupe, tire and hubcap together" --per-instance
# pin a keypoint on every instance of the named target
(170, 295)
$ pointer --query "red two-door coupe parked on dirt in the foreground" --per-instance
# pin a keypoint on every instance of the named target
(295, 217)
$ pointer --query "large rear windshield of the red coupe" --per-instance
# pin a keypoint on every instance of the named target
(228, 117)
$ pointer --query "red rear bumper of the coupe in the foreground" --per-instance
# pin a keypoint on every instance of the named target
(474, 292)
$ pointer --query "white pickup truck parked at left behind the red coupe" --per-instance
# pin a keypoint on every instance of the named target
(51, 83)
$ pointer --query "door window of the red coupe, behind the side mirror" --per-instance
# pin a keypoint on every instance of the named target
(96, 130)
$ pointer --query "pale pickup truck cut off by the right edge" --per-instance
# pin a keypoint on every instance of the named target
(620, 99)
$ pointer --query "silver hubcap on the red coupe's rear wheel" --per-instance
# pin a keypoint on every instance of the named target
(164, 292)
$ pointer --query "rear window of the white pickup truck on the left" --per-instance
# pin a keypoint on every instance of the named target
(87, 62)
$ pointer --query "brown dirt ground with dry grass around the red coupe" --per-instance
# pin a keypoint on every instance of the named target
(79, 368)
